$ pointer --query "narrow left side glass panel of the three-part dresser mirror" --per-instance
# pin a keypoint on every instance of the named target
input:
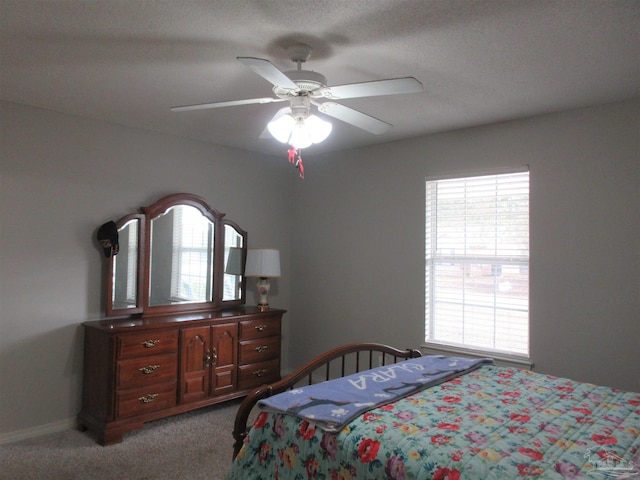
(125, 268)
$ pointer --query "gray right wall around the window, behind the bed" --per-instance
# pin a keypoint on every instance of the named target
(358, 241)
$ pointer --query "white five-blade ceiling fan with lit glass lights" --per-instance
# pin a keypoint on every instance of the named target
(302, 89)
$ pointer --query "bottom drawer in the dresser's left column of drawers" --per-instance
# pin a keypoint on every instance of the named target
(145, 400)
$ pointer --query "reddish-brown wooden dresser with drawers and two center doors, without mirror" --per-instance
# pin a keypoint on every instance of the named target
(142, 369)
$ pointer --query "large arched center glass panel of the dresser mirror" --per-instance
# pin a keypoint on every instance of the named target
(186, 275)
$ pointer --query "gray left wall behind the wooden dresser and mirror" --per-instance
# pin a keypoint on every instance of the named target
(62, 177)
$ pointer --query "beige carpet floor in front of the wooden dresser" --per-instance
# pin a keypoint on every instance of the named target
(191, 446)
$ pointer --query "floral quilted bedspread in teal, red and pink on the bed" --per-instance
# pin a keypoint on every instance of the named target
(492, 423)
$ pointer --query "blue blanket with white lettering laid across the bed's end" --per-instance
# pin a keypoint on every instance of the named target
(334, 403)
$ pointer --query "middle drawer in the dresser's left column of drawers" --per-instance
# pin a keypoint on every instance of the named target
(143, 371)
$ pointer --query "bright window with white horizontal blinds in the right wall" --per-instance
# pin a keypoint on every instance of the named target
(477, 262)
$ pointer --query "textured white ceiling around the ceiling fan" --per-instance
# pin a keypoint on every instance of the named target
(482, 61)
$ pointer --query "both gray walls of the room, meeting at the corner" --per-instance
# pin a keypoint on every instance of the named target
(351, 237)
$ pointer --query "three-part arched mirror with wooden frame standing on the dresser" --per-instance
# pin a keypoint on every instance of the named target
(178, 255)
